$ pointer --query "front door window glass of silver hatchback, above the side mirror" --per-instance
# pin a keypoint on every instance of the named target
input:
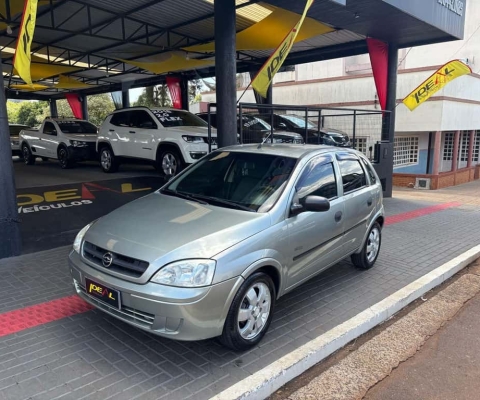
(318, 179)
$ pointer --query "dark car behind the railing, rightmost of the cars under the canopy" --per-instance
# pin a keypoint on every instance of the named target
(293, 123)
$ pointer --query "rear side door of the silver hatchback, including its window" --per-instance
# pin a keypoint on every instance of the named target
(358, 197)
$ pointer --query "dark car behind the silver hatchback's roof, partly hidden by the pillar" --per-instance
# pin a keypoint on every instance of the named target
(255, 130)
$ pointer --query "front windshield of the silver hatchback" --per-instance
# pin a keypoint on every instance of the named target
(245, 181)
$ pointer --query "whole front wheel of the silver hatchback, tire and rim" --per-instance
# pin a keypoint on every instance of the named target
(250, 313)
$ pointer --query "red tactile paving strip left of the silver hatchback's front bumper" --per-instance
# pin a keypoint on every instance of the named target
(39, 314)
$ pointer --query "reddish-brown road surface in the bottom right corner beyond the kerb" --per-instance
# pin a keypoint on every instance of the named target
(446, 367)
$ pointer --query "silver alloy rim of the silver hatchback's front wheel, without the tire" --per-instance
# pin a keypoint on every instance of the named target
(254, 311)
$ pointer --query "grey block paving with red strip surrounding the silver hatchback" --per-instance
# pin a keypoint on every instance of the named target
(53, 347)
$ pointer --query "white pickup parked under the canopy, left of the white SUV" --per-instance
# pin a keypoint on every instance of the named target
(67, 140)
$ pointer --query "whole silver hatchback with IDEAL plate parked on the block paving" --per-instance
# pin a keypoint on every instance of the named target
(208, 254)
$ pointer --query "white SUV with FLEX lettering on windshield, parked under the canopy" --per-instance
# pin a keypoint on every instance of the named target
(167, 138)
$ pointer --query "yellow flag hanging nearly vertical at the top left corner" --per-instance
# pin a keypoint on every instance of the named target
(24, 42)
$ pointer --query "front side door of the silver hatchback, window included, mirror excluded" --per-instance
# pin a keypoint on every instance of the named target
(315, 238)
